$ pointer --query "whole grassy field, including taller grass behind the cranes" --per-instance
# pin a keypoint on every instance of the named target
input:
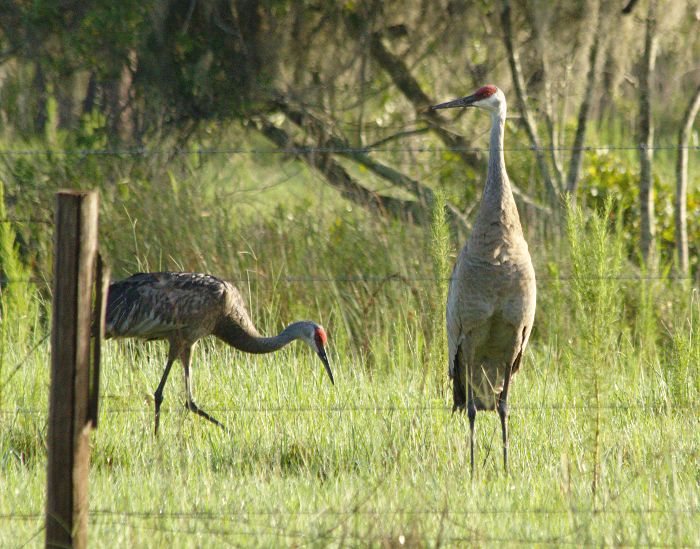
(604, 421)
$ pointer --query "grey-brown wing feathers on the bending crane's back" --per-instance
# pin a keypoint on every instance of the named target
(155, 305)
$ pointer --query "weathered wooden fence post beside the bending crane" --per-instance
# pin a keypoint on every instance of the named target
(69, 400)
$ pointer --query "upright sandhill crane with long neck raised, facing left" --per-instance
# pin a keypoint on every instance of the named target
(491, 299)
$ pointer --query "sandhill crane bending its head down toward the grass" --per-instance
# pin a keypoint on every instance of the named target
(185, 307)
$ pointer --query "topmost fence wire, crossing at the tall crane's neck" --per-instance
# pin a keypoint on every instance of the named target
(145, 151)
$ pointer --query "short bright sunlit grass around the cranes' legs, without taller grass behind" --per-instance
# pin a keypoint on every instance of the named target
(374, 458)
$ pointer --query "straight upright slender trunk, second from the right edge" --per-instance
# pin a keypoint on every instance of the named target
(646, 141)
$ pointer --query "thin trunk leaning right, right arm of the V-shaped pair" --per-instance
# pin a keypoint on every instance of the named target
(585, 107)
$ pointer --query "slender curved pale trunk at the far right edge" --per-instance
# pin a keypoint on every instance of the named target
(680, 204)
